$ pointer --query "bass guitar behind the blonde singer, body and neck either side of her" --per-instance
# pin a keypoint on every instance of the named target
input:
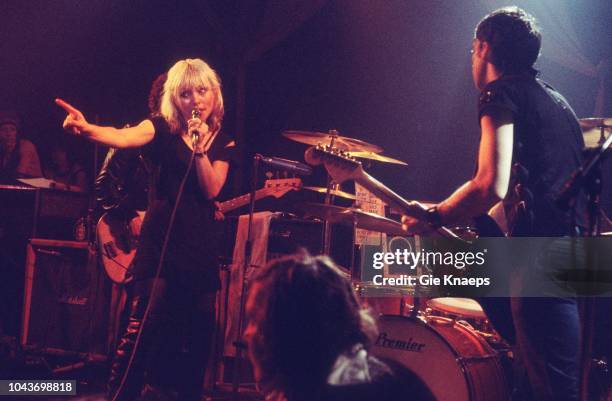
(118, 237)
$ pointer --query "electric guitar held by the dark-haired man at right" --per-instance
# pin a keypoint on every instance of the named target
(342, 167)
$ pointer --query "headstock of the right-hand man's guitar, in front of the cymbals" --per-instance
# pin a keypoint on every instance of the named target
(340, 165)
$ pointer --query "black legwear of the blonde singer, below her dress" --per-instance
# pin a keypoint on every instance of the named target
(174, 346)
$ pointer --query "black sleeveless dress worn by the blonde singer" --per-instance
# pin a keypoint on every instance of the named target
(191, 256)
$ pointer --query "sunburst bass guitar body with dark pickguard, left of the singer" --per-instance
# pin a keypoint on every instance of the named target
(117, 241)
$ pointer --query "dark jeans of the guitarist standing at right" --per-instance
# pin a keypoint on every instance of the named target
(547, 320)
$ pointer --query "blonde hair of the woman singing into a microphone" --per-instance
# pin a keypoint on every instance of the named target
(186, 74)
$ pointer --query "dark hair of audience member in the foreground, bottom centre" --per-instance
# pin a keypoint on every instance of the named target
(306, 315)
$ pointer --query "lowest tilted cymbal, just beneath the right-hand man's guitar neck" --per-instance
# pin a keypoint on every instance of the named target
(351, 216)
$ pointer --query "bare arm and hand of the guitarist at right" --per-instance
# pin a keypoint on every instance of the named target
(489, 185)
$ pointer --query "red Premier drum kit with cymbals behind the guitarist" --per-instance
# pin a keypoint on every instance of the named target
(449, 343)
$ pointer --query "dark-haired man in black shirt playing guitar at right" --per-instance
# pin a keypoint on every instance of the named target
(530, 144)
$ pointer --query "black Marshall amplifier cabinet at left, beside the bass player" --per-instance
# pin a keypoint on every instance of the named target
(65, 307)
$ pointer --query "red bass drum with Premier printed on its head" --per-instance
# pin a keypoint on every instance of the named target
(452, 360)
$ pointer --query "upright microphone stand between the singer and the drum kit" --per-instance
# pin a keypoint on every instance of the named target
(248, 247)
